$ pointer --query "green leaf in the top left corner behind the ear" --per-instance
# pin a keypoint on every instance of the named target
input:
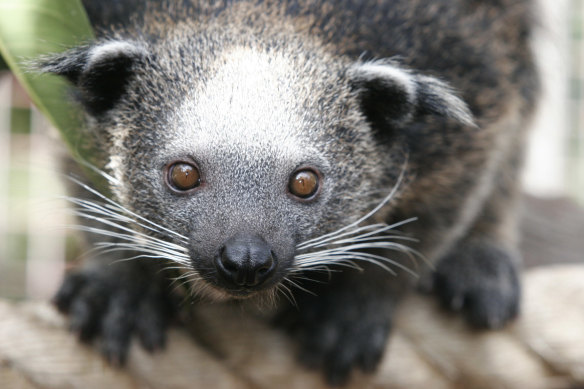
(33, 28)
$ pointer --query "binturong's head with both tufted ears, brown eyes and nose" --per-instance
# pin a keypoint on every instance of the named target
(246, 159)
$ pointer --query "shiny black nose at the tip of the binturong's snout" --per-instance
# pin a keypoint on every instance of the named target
(245, 260)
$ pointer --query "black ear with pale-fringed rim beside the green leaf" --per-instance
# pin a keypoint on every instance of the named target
(101, 72)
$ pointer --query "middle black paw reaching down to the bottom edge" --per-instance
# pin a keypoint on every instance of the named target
(338, 332)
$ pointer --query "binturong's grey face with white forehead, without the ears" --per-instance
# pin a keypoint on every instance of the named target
(258, 139)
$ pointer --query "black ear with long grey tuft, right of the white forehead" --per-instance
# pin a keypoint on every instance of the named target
(392, 95)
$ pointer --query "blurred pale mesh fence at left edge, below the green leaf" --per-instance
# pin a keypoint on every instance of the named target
(33, 225)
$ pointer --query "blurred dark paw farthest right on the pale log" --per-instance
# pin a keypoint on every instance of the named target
(479, 278)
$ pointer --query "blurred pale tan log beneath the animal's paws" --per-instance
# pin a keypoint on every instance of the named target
(234, 349)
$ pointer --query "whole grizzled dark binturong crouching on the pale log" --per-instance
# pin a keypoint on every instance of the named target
(320, 157)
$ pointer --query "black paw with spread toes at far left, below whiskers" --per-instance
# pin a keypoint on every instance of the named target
(112, 303)
